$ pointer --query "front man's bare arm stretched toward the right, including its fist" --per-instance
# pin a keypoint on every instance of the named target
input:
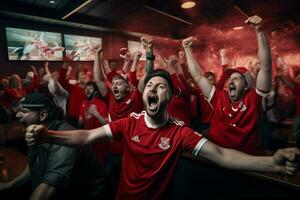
(285, 161)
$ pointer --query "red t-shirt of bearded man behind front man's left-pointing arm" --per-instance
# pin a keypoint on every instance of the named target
(91, 122)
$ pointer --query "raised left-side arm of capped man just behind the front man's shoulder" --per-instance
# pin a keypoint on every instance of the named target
(98, 73)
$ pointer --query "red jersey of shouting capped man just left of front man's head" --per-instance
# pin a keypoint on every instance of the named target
(122, 109)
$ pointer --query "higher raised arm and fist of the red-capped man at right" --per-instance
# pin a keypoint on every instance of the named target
(264, 76)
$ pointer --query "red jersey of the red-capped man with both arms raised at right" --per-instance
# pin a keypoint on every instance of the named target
(235, 124)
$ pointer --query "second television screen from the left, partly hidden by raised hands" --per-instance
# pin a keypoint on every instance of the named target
(81, 48)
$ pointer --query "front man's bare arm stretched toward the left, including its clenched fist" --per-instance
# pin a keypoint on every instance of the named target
(40, 134)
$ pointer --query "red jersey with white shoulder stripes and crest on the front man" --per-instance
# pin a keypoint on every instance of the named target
(150, 154)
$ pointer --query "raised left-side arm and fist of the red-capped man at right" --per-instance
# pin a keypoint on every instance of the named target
(194, 68)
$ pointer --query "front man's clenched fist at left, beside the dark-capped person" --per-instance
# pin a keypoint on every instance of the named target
(35, 134)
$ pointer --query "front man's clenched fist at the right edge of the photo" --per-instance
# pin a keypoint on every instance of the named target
(287, 160)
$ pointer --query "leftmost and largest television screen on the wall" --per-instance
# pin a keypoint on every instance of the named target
(26, 44)
